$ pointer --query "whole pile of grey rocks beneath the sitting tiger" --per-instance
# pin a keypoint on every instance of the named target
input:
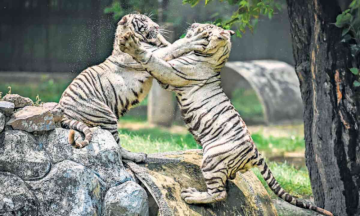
(42, 174)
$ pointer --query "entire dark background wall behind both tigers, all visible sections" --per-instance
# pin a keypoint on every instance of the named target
(70, 35)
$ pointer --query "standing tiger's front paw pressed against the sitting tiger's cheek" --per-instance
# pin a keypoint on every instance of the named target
(130, 44)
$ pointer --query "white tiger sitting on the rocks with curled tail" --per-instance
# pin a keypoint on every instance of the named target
(101, 94)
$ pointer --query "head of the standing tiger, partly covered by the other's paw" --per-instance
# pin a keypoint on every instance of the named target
(218, 37)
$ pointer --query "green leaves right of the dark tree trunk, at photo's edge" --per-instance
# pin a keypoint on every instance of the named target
(349, 21)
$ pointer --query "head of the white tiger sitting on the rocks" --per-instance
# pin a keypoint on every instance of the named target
(144, 28)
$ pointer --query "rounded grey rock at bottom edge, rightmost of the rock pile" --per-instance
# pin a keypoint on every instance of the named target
(127, 199)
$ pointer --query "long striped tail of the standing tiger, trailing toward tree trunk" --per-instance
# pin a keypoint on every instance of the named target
(280, 192)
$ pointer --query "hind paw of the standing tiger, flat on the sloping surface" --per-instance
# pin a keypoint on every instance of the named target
(193, 196)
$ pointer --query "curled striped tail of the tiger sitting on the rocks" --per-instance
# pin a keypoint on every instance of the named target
(79, 126)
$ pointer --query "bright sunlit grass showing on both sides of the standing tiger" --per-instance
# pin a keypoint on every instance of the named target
(156, 140)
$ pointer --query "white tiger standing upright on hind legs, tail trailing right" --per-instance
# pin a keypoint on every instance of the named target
(209, 114)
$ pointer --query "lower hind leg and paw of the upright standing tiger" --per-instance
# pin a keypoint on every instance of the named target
(215, 179)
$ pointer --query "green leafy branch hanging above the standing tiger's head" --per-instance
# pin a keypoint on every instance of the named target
(247, 14)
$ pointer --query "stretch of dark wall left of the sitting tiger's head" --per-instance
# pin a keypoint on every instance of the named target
(53, 35)
